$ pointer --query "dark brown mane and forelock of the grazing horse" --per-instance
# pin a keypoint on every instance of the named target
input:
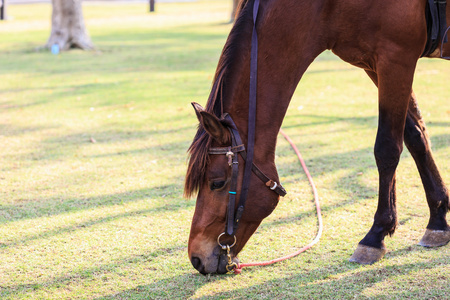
(198, 150)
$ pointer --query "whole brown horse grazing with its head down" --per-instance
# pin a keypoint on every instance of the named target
(385, 38)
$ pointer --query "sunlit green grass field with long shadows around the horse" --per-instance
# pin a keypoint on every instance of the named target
(93, 157)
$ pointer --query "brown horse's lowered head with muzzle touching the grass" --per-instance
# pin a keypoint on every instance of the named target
(211, 248)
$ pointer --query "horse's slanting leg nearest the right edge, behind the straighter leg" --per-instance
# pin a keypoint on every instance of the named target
(418, 143)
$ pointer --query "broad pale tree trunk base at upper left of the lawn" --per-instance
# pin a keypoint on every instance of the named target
(68, 30)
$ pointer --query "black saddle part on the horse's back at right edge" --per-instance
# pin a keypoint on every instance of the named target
(435, 13)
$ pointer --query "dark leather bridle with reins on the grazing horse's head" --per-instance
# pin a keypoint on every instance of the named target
(237, 147)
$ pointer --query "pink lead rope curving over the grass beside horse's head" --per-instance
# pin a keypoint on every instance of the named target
(239, 268)
